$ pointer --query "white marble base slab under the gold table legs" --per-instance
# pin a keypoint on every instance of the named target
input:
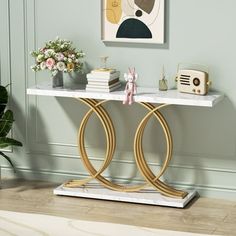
(146, 196)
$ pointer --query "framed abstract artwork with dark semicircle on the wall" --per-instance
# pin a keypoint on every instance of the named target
(138, 21)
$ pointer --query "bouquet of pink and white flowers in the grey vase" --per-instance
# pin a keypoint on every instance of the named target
(58, 55)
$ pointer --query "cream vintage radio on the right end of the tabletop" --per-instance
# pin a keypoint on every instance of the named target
(192, 81)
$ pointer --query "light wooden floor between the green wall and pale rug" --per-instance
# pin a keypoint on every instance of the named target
(201, 216)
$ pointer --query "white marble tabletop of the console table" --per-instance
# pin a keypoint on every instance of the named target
(151, 95)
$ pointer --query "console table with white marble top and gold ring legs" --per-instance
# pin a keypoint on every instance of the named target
(161, 193)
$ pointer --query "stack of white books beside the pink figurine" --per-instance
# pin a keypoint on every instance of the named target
(103, 80)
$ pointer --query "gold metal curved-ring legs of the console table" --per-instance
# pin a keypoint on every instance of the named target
(149, 176)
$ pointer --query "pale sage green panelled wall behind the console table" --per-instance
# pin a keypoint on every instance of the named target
(204, 138)
